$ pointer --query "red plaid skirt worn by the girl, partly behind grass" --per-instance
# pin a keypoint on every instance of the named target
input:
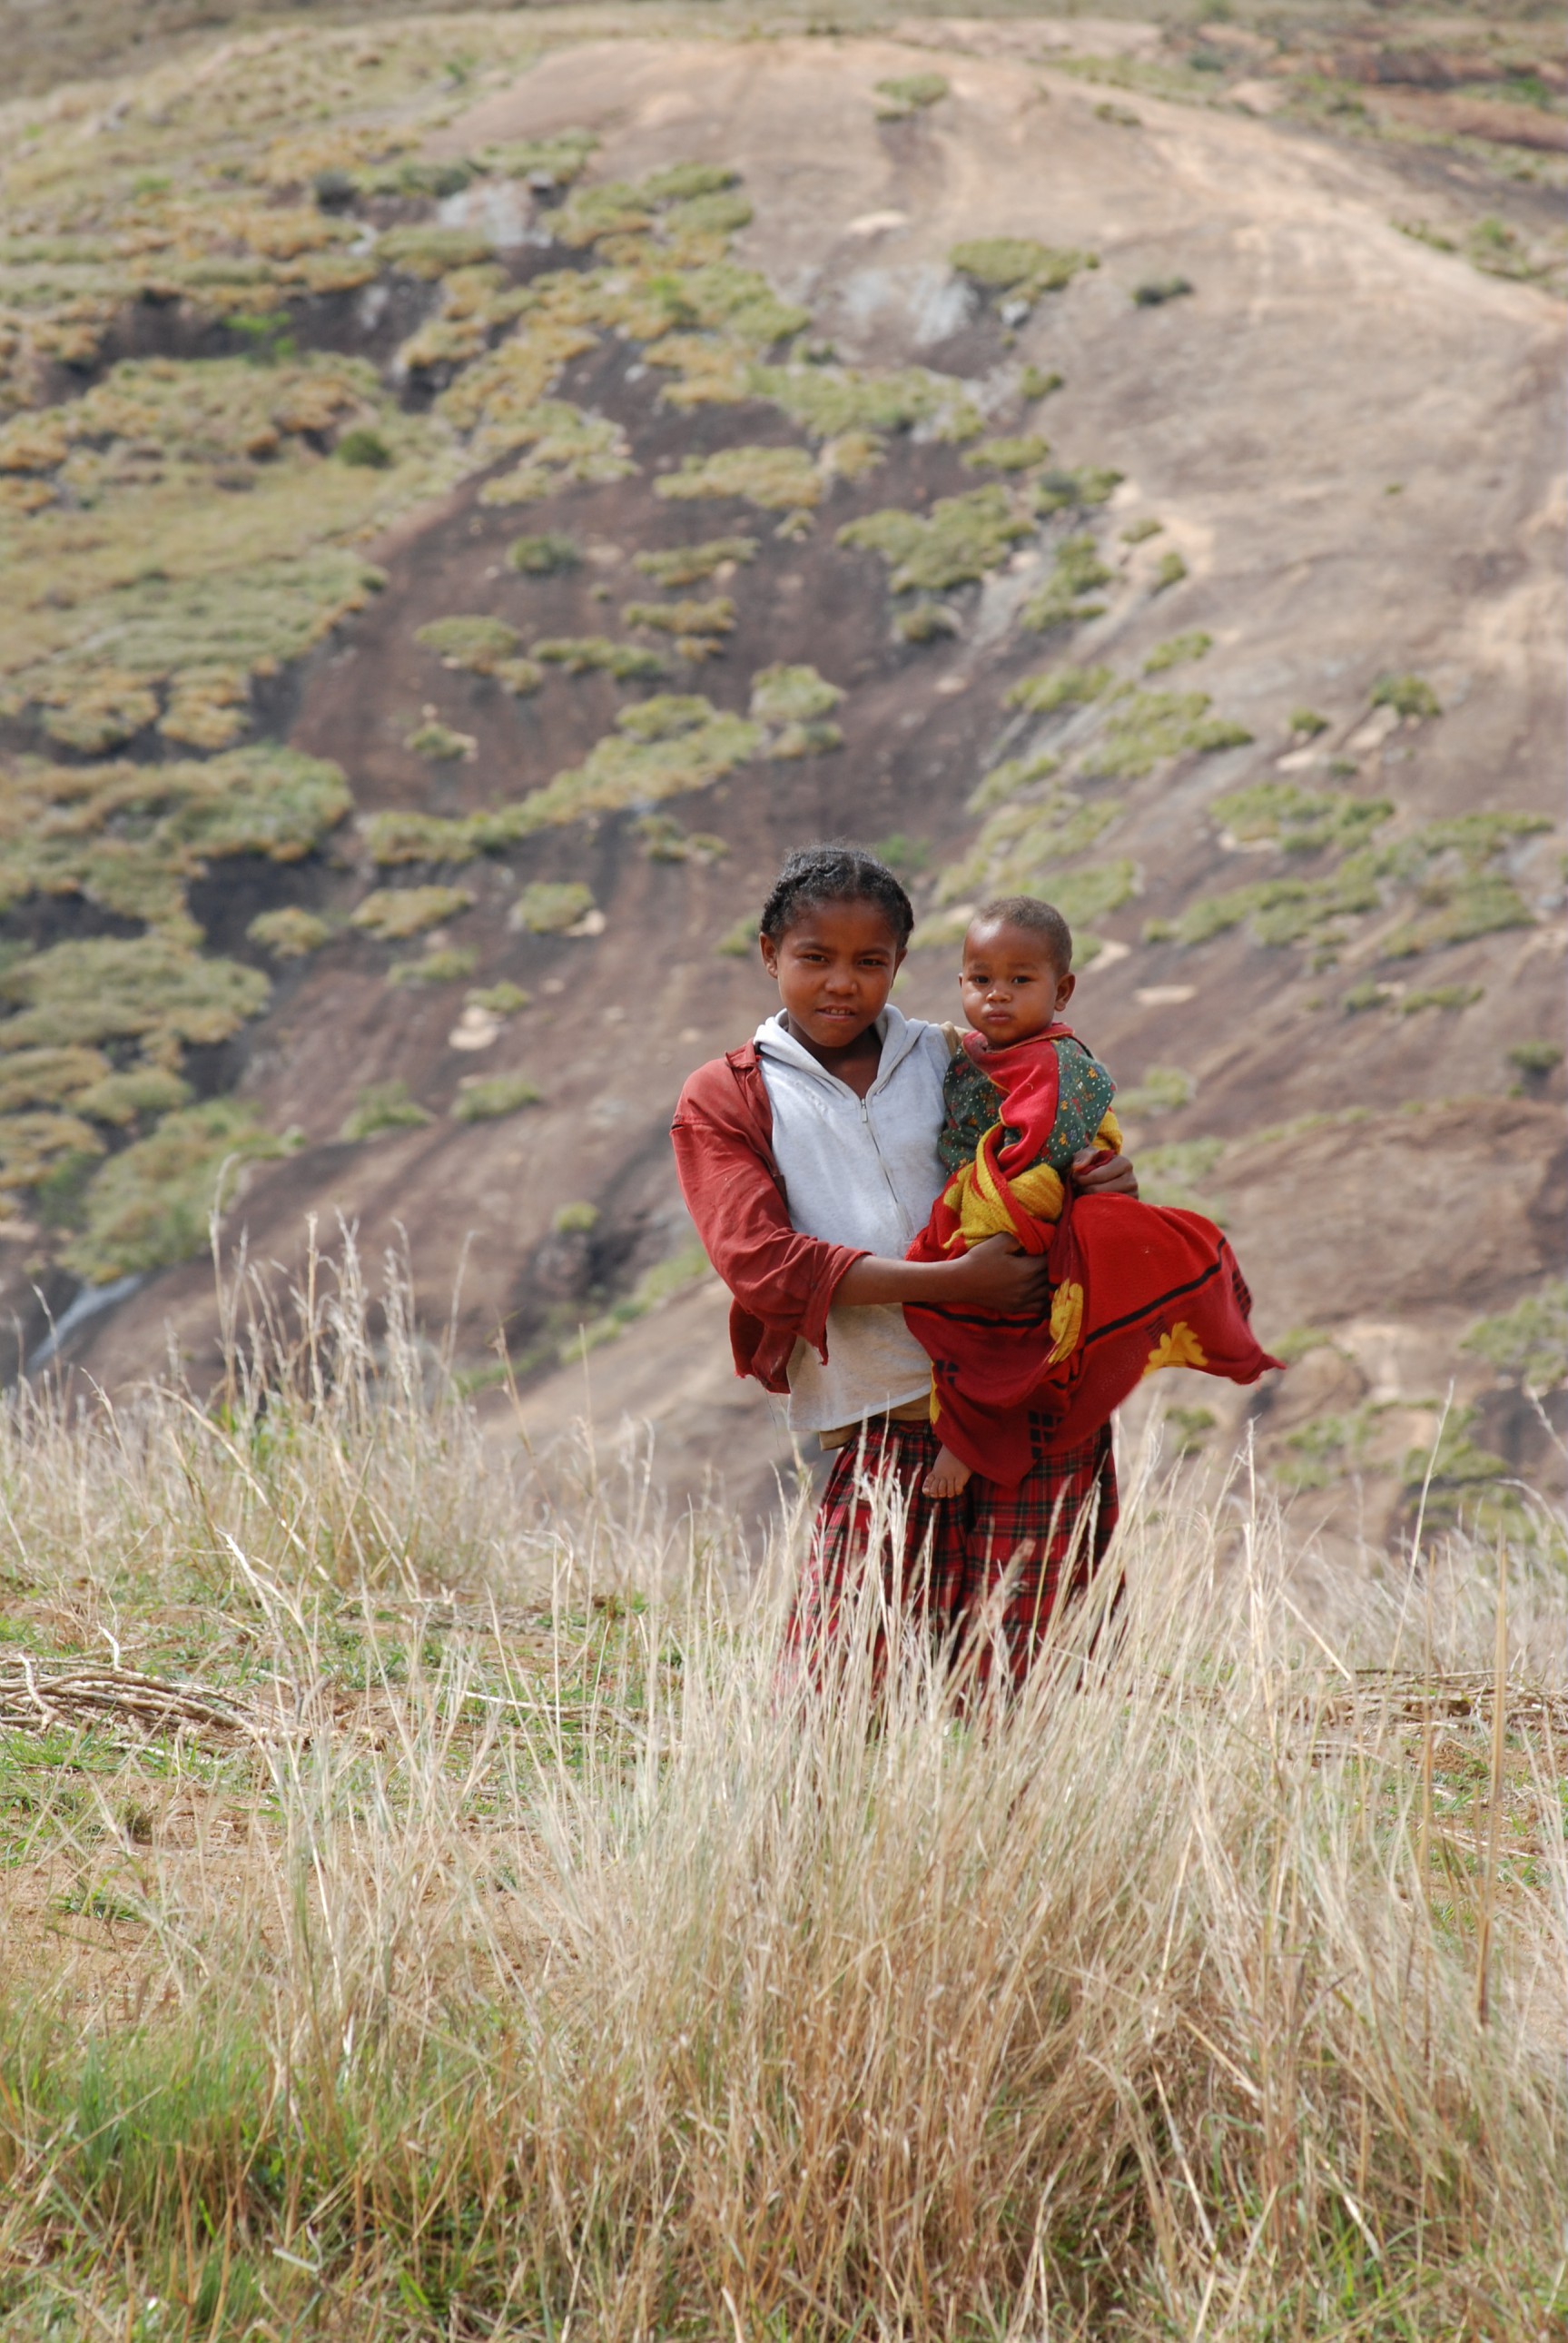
(983, 1571)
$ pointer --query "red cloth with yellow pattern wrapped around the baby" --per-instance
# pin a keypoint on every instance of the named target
(1136, 1287)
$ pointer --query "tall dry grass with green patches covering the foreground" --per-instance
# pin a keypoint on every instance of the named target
(552, 1965)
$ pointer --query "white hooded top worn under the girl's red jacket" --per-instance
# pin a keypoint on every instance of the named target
(859, 1173)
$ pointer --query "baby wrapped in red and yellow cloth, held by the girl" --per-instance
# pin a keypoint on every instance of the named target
(1136, 1287)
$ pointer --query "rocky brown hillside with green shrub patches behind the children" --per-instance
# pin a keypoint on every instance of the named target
(475, 491)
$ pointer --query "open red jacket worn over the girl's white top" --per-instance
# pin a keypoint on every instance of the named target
(782, 1280)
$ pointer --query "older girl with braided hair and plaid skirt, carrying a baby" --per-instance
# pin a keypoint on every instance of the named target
(810, 1161)
